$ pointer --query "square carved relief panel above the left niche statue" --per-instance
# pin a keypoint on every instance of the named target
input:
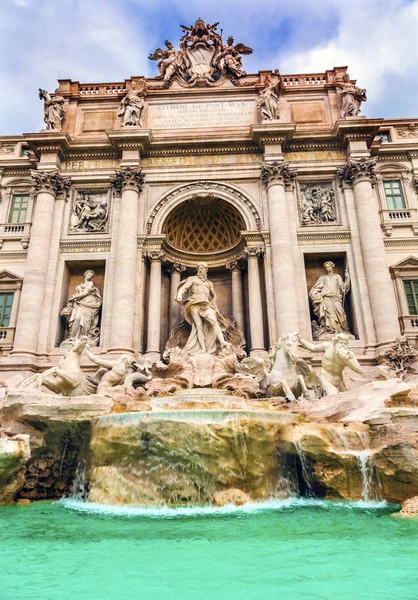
(89, 212)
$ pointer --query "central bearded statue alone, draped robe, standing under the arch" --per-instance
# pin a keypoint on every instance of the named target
(198, 297)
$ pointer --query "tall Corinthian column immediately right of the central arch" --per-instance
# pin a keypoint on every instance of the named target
(274, 176)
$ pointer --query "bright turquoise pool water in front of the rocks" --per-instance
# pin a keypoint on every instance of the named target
(288, 550)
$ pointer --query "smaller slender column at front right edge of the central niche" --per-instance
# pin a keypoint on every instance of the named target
(254, 301)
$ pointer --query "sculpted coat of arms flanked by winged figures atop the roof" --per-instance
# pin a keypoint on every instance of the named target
(202, 58)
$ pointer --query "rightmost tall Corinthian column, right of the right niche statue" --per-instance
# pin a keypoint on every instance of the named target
(360, 174)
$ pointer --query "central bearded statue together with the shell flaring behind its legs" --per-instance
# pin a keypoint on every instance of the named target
(204, 330)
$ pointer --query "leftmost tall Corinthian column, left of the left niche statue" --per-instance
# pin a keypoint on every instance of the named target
(47, 184)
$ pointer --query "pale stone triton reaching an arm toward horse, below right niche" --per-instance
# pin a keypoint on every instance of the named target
(336, 358)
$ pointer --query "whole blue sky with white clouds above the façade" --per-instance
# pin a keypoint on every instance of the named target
(109, 40)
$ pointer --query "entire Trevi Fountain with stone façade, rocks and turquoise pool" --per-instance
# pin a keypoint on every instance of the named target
(205, 393)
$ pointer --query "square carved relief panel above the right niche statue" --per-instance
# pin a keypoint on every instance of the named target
(317, 204)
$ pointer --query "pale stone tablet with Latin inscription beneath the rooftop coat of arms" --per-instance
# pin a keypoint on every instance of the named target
(201, 114)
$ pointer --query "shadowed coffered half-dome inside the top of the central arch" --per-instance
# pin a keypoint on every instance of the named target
(204, 224)
